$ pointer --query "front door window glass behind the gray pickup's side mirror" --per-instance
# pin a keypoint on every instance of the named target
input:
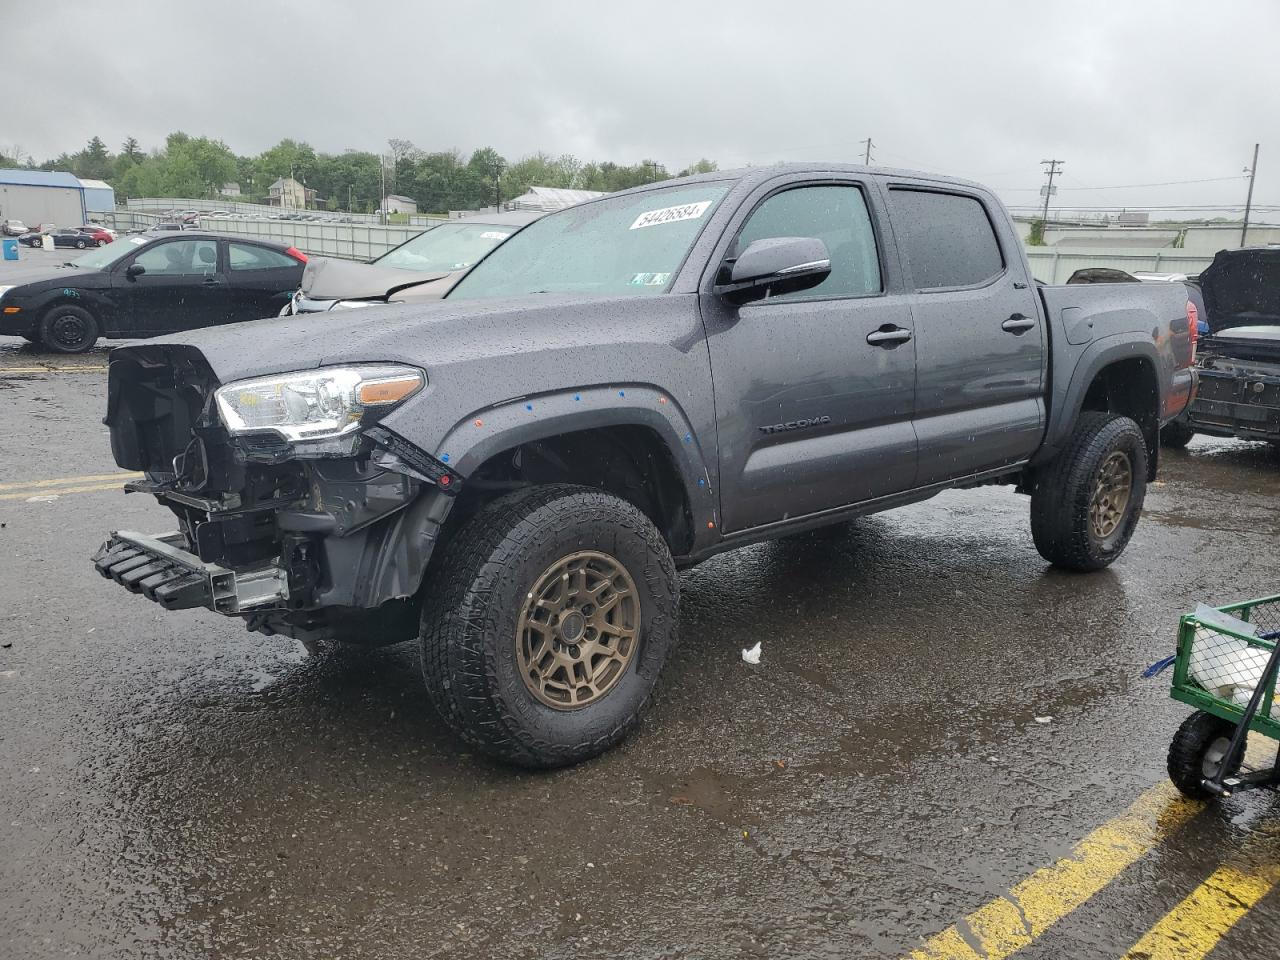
(836, 216)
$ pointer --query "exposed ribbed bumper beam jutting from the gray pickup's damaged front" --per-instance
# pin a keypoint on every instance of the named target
(163, 570)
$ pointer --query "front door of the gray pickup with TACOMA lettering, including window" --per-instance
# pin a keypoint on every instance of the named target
(813, 390)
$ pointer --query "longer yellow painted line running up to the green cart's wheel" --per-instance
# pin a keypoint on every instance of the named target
(1009, 924)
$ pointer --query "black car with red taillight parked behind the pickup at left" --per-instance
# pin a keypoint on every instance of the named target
(148, 286)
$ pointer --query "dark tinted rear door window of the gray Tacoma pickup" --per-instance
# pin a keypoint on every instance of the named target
(948, 239)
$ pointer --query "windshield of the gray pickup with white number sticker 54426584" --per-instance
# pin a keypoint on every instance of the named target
(625, 246)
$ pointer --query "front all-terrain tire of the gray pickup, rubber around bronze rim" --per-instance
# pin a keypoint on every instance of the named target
(474, 602)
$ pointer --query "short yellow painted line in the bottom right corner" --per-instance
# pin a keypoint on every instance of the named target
(1195, 927)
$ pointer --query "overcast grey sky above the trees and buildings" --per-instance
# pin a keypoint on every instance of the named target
(1126, 93)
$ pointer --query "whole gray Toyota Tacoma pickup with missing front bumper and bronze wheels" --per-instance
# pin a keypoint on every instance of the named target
(515, 474)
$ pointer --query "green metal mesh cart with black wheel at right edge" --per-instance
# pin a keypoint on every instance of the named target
(1226, 669)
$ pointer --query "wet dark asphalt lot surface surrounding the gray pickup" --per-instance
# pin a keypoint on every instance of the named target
(172, 787)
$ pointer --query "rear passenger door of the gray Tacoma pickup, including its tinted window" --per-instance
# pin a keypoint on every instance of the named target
(980, 340)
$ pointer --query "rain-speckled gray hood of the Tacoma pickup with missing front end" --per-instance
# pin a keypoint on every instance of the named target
(417, 333)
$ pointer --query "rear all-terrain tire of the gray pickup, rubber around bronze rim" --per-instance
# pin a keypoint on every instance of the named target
(1064, 493)
